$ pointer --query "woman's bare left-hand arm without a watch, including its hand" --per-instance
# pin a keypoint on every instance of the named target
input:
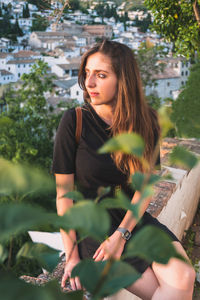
(64, 184)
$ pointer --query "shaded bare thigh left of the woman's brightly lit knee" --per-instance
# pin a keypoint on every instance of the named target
(145, 286)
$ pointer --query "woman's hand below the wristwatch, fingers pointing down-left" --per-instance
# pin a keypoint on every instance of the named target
(112, 247)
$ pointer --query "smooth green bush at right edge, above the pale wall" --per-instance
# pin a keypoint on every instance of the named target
(187, 106)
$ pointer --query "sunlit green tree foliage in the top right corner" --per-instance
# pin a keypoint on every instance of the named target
(178, 22)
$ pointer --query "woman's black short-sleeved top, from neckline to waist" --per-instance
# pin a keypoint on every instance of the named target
(92, 170)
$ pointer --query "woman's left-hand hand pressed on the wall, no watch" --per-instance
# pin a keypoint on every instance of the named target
(75, 282)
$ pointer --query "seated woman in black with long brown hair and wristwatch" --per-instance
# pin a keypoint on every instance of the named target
(114, 103)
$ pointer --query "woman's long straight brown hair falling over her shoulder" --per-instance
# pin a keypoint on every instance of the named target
(131, 114)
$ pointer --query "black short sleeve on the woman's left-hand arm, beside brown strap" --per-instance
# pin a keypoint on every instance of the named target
(65, 145)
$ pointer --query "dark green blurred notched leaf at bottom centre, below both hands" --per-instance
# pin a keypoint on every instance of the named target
(120, 275)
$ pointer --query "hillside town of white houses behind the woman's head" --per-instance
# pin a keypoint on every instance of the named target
(59, 38)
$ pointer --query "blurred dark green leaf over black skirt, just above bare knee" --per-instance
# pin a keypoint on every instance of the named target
(151, 244)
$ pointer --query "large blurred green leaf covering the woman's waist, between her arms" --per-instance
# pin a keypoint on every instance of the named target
(87, 218)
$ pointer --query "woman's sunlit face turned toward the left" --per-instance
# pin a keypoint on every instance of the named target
(100, 81)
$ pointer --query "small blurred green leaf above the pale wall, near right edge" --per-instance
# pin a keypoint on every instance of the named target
(183, 158)
